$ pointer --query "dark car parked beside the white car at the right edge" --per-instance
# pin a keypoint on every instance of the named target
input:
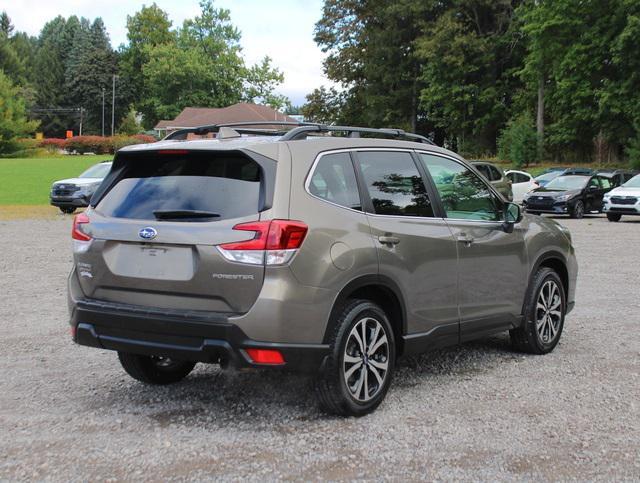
(573, 195)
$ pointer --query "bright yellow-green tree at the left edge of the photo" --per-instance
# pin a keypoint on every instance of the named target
(13, 120)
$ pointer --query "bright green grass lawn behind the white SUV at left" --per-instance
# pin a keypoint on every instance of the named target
(27, 181)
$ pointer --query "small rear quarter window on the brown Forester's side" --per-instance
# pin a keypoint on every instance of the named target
(334, 180)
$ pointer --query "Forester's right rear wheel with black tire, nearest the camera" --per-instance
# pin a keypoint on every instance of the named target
(357, 373)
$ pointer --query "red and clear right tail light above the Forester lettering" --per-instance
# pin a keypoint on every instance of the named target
(275, 242)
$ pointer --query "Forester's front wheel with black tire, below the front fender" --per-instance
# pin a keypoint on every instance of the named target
(544, 311)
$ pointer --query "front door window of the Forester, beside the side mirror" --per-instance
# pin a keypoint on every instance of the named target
(464, 195)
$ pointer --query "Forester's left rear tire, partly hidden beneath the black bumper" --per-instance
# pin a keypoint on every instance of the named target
(155, 370)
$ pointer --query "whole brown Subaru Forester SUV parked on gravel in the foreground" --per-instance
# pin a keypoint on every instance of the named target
(335, 255)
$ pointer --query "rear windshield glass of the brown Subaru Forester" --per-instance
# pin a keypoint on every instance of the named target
(223, 185)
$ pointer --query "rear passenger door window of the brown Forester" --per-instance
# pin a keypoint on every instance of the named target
(394, 184)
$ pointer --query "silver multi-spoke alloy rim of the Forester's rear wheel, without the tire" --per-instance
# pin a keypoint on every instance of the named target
(366, 359)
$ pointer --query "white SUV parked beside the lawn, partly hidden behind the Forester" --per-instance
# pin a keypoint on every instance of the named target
(70, 194)
